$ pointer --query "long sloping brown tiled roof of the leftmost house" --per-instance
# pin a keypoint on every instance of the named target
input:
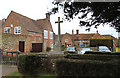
(28, 23)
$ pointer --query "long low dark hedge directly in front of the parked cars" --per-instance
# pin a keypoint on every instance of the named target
(100, 57)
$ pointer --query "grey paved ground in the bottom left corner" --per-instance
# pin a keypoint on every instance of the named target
(7, 69)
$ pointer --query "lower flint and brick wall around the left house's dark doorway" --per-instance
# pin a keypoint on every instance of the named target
(11, 42)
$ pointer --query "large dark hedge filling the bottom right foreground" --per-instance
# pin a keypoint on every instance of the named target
(86, 68)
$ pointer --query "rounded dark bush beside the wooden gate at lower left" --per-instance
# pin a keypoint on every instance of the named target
(32, 64)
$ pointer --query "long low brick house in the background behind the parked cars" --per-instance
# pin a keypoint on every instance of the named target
(81, 40)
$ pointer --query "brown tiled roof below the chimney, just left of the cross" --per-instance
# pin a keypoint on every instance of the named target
(45, 24)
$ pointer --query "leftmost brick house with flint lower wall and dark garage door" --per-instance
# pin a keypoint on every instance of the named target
(21, 33)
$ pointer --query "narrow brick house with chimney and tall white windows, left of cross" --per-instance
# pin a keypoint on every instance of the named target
(48, 31)
